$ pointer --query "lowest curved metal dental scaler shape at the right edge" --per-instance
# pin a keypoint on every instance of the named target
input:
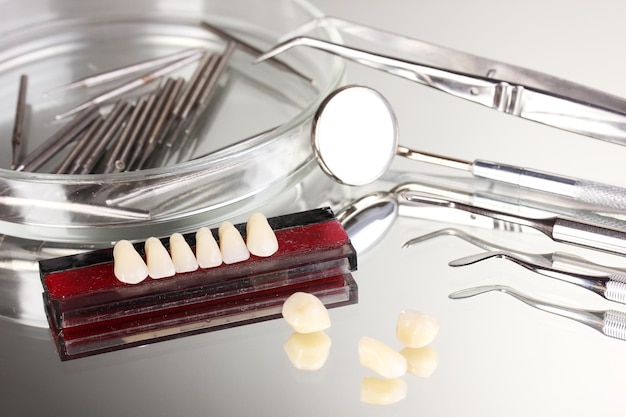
(611, 323)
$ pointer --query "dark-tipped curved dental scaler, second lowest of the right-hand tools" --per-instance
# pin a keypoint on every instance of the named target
(611, 286)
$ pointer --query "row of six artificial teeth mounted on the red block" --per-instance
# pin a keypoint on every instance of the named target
(130, 268)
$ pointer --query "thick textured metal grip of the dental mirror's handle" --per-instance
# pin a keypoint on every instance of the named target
(578, 189)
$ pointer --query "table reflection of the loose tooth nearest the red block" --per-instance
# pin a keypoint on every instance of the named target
(309, 351)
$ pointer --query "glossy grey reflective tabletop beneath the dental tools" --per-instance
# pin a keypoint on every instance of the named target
(498, 356)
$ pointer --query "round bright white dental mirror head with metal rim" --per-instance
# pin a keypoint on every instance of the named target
(354, 135)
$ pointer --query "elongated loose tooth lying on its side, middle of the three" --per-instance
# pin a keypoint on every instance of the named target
(379, 357)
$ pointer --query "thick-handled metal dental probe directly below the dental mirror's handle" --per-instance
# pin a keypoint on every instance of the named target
(559, 229)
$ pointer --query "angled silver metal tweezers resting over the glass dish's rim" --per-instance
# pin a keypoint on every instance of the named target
(507, 88)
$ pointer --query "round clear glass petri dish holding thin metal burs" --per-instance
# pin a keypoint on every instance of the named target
(254, 145)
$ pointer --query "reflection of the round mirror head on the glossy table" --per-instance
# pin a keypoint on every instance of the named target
(368, 219)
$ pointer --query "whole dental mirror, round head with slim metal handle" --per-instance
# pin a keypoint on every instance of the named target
(355, 134)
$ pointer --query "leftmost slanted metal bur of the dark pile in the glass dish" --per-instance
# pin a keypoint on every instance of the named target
(44, 152)
